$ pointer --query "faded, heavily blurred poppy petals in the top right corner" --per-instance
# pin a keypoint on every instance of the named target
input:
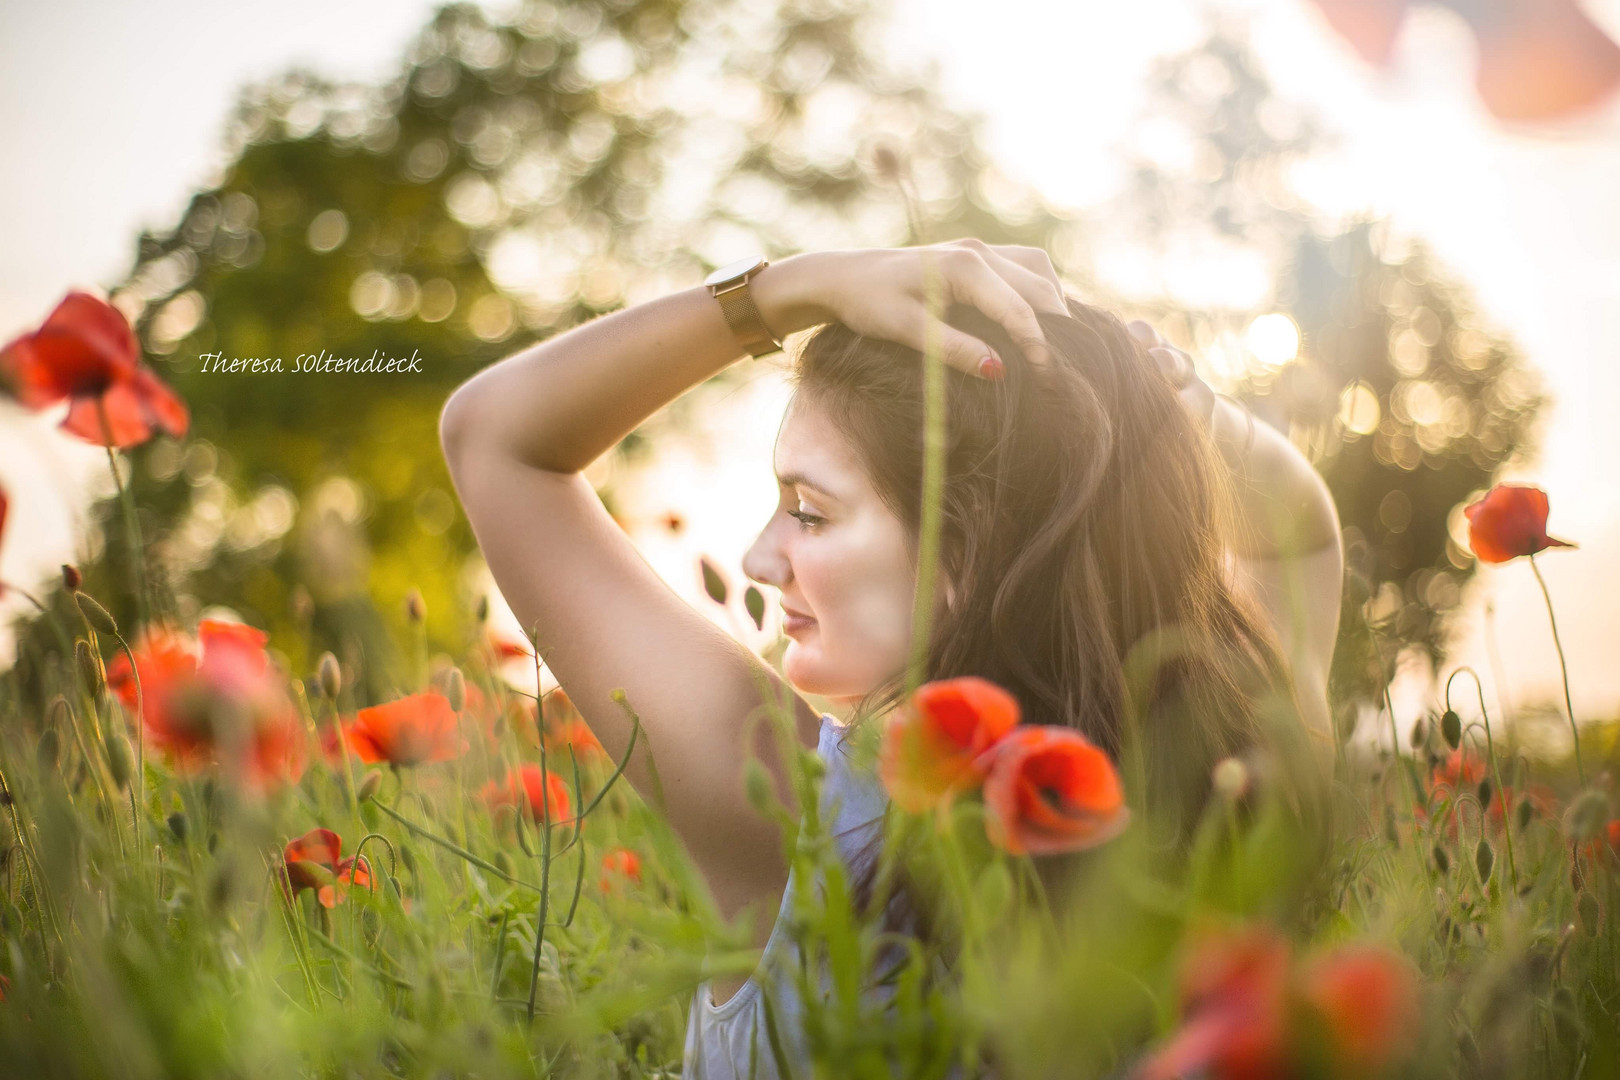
(1538, 59)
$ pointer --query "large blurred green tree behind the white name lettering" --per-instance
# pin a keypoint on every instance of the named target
(514, 181)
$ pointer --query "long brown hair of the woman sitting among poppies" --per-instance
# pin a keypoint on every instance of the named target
(1086, 516)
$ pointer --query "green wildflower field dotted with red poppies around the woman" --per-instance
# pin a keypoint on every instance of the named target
(220, 864)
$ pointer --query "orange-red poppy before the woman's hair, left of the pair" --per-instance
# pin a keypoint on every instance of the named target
(936, 749)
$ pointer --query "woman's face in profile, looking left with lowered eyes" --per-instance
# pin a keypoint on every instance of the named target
(845, 564)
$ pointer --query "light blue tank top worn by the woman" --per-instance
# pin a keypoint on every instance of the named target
(722, 1040)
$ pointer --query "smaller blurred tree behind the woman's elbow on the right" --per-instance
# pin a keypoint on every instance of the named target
(1400, 394)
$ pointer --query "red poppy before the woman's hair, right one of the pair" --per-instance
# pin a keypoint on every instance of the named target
(1052, 791)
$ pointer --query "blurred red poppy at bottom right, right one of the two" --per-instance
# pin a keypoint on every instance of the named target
(1368, 1000)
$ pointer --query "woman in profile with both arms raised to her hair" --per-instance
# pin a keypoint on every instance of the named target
(1083, 511)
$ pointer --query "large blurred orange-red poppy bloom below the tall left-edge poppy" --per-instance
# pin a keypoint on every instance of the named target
(215, 700)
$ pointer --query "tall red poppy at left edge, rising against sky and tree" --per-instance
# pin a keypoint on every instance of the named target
(87, 354)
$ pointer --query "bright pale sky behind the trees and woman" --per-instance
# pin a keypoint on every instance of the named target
(119, 140)
